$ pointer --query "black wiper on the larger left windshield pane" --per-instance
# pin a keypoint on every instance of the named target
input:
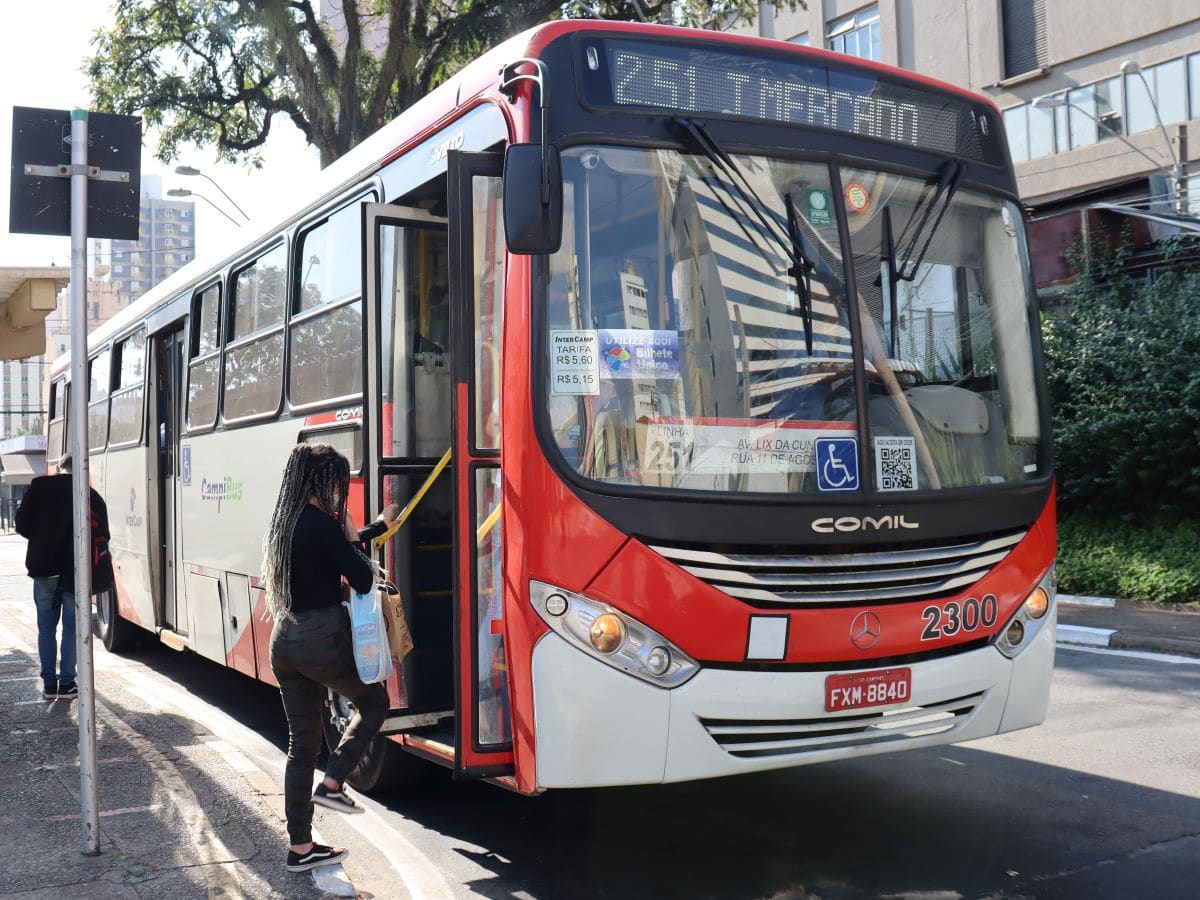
(793, 244)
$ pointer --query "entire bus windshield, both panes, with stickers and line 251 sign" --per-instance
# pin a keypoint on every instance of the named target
(700, 328)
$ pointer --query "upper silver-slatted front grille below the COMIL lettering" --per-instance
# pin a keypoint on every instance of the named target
(845, 579)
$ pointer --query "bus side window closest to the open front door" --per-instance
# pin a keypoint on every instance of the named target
(327, 323)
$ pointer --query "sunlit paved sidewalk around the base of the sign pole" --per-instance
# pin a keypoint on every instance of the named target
(182, 813)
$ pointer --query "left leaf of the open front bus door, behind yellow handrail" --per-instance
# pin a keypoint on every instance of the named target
(407, 429)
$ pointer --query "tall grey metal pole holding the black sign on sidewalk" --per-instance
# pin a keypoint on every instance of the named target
(89, 797)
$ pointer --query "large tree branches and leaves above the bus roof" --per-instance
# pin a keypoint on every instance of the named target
(217, 73)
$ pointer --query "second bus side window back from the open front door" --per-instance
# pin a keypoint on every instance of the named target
(254, 357)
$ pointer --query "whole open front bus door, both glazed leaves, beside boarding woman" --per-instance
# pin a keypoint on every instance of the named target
(433, 316)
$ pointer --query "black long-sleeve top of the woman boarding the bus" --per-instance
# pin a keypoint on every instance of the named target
(322, 557)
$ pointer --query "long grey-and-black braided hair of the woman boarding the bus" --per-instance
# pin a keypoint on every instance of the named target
(313, 471)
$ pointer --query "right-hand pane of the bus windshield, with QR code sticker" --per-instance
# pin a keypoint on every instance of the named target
(952, 393)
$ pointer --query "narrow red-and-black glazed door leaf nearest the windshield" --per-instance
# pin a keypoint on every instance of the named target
(484, 743)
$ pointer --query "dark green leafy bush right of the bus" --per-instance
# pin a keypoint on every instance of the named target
(1125, 388)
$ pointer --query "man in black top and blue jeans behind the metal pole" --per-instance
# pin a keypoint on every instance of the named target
(46, 520)
